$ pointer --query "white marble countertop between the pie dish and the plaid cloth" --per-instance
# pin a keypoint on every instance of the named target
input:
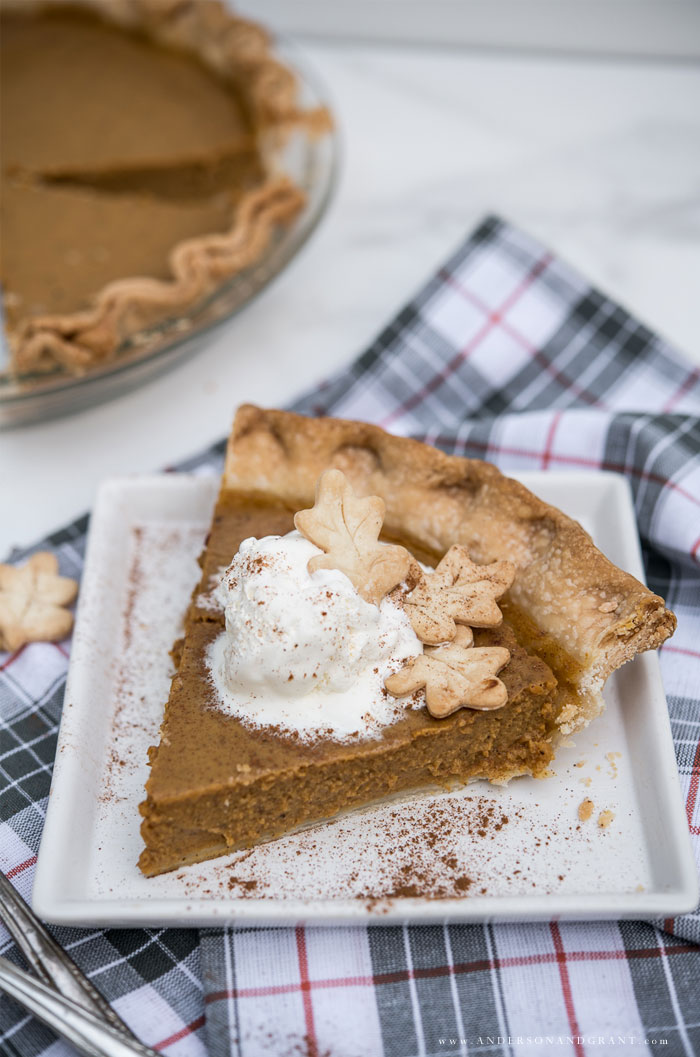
(599, 159)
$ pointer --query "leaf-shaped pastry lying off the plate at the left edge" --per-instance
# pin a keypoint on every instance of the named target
(32, 600)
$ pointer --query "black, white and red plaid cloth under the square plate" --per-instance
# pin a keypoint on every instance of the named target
(507, 355)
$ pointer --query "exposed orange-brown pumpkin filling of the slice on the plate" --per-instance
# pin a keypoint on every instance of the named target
(217, 786)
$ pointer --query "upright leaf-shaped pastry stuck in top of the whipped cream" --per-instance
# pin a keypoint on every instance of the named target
(347, 530)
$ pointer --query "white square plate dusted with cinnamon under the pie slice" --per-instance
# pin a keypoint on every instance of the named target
(498, 854)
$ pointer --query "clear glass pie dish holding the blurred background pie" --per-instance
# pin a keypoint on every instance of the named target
(312, 165)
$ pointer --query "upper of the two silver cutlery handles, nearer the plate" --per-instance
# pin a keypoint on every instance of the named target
(50, 961)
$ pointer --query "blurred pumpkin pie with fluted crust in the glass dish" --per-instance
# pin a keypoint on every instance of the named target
(138, 140)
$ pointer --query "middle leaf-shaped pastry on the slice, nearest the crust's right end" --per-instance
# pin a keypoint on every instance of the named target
(458, 592)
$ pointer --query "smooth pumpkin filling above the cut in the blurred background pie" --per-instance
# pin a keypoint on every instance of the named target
(65, 69)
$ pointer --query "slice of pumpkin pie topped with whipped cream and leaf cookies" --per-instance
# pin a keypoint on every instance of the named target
(325, 670)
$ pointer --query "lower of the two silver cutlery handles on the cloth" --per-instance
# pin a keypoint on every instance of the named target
(89, 1034)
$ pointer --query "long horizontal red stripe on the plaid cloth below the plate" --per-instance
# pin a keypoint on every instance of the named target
(445, 971)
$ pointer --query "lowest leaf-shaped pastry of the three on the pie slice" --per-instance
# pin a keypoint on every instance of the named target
(457, 676)
